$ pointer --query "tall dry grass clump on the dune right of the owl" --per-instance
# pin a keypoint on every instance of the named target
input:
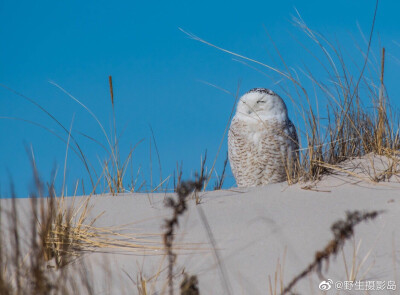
(350, 127)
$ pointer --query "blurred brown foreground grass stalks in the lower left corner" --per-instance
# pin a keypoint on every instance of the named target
(24, 265)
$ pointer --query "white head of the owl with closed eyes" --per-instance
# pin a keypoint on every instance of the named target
(261, 104)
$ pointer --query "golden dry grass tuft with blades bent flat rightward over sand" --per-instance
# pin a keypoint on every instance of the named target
(65, 231)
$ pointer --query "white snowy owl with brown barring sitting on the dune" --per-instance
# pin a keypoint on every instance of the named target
(262, 141)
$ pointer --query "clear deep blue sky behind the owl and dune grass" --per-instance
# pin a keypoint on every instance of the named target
(157, 72)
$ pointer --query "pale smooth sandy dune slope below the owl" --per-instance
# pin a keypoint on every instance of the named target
(252, 228)
